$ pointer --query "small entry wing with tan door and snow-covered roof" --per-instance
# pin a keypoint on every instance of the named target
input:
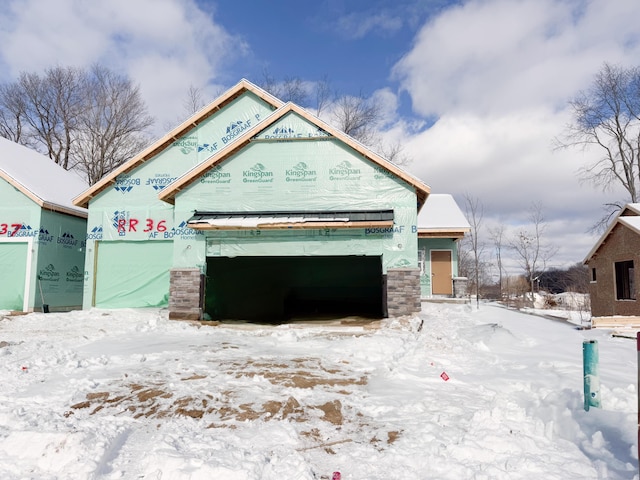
(441, 224)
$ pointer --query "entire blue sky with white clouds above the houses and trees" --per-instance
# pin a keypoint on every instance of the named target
(476, 91)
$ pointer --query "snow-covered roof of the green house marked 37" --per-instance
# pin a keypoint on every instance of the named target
(40, 178)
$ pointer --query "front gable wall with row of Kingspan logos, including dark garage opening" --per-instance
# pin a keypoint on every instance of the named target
(295, 172)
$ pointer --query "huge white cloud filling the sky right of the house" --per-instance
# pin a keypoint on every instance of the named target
(496, 76)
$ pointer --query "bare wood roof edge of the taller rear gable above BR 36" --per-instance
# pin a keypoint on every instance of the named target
(189, 124)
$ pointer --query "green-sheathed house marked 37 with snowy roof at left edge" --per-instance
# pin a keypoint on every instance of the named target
(42, 234)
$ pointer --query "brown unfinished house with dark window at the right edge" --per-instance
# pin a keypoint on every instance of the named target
(614, 282)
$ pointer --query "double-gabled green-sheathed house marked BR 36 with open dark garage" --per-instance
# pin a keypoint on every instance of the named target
(255, 209)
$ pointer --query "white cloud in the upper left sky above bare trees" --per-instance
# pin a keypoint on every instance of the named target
(163, 45)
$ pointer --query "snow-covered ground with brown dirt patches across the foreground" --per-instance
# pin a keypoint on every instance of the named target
(452, 393)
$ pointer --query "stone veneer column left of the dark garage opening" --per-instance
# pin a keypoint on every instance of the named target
(185, 296)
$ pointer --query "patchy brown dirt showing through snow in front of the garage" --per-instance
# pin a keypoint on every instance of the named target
(229, 408)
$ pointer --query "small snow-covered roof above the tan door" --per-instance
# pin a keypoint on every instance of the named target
(441, 217)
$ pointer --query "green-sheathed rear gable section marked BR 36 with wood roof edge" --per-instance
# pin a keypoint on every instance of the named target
(130, 231)
